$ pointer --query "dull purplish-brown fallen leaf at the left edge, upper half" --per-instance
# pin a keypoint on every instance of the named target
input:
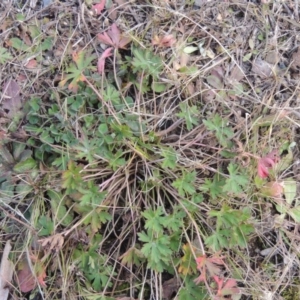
(12, 100)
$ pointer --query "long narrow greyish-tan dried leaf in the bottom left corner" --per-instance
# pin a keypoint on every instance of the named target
(6, 272)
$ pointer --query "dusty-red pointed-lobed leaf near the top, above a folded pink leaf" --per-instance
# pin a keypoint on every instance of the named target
(113, 37)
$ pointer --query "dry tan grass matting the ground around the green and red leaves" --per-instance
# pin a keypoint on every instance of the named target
(245, 69)
